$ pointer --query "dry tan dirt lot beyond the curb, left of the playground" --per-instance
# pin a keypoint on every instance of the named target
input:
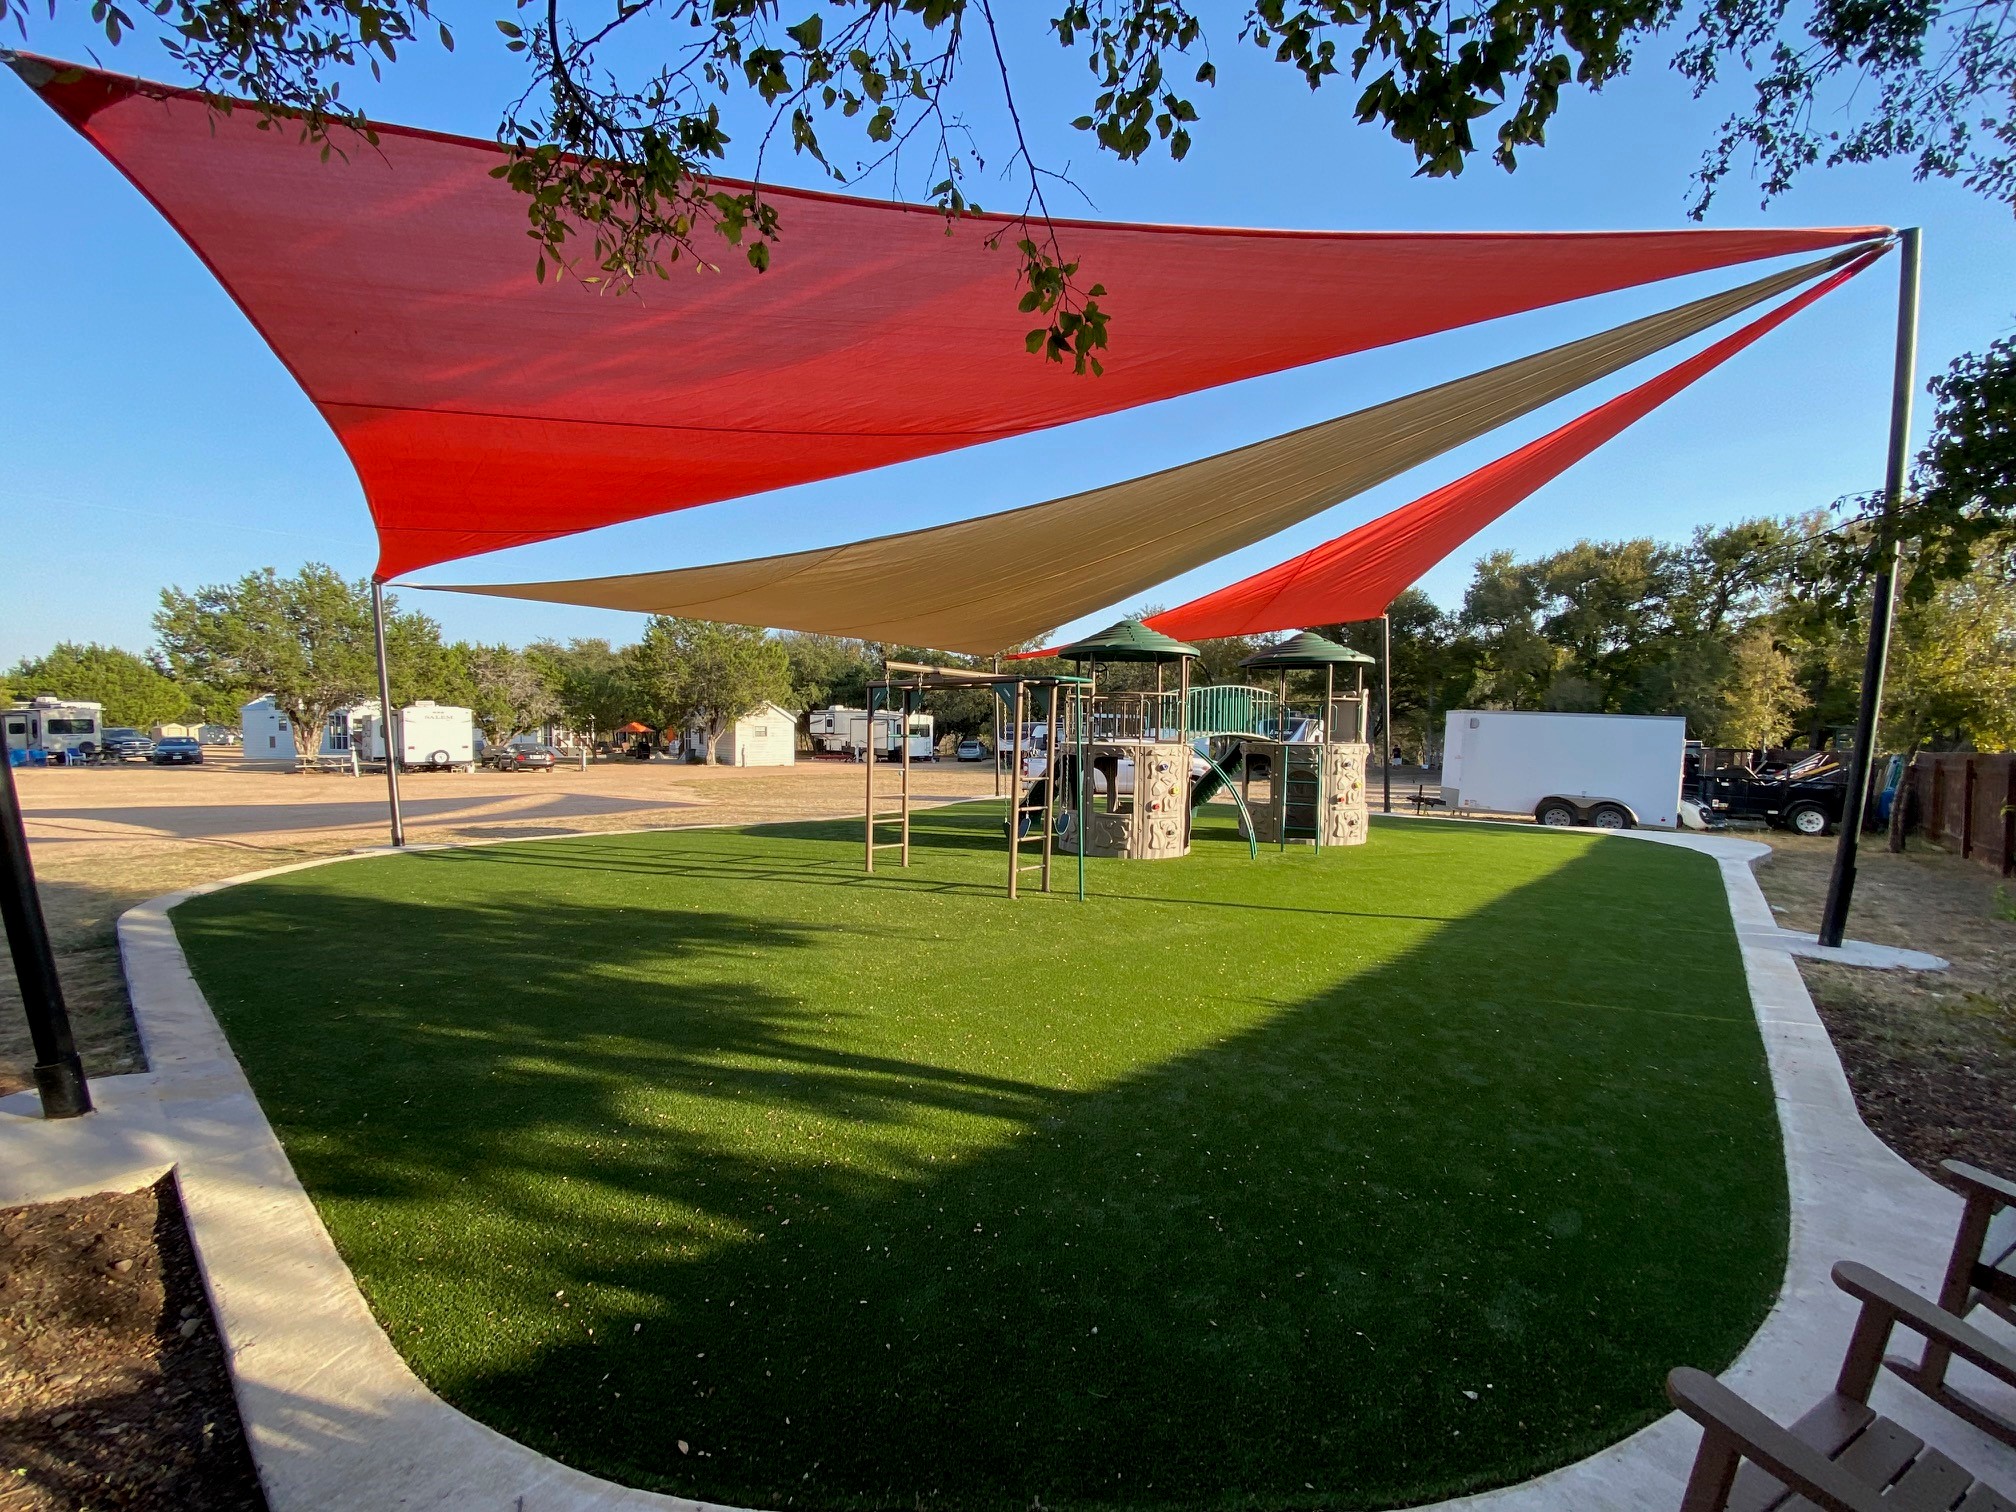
(108, 838)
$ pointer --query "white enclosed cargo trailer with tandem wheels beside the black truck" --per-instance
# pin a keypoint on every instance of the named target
(1612, 771)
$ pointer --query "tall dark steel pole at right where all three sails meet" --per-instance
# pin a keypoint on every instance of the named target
(1882, 600)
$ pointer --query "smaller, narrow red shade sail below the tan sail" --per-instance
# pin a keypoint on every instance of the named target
(1358, 576)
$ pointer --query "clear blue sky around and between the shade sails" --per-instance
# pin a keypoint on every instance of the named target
(154, 440)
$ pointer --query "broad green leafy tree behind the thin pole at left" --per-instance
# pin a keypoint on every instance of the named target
(303, 638)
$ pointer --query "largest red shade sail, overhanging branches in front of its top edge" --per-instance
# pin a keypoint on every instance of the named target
(485, 410)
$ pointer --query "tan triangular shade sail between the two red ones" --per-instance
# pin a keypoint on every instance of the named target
(1001, 580)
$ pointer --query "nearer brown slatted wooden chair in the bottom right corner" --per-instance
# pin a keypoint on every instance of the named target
(1842, 1457)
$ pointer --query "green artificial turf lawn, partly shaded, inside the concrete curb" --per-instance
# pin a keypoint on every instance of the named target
(705, 1162)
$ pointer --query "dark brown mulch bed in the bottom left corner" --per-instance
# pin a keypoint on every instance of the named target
(114, 1390)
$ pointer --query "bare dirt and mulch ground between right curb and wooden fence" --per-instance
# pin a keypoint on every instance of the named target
(1930, 1055)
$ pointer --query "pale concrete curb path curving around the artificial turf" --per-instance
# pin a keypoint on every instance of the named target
(338, 1418)
